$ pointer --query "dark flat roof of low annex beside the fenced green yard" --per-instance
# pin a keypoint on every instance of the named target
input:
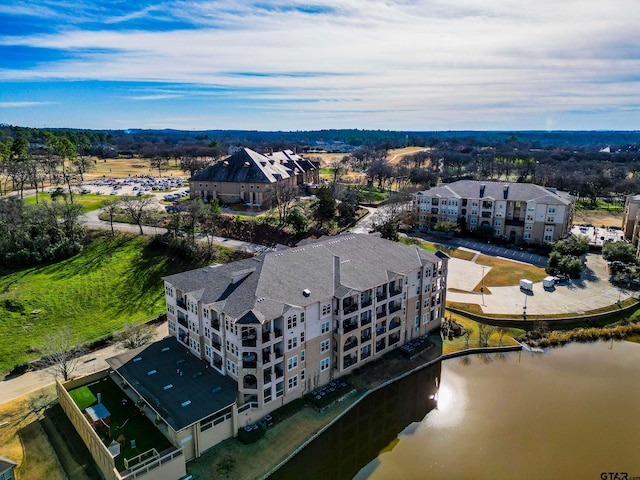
(182, 389)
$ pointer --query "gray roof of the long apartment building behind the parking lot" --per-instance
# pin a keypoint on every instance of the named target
(519, 192)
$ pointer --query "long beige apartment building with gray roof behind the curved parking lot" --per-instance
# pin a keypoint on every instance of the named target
(517, 212)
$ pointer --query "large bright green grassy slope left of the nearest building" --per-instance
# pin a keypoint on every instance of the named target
(111, 282)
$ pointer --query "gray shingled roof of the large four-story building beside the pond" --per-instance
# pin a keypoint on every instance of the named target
(331, 266)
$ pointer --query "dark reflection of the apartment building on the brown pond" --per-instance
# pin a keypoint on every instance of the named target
(369, 429)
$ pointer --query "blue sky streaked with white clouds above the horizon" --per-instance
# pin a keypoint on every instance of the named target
(287, 65)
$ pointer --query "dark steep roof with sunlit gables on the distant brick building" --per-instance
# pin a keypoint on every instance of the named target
(244, 166)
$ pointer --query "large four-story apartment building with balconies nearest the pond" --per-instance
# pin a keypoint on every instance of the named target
(286, 322)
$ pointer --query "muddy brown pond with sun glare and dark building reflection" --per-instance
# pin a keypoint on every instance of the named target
(572, 412)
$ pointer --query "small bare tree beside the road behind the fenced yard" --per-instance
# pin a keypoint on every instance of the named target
(61, 354)
